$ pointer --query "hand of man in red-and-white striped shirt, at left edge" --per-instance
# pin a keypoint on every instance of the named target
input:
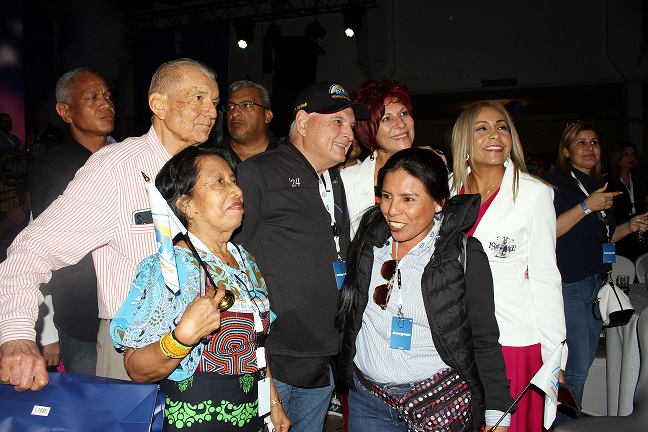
(22, 366)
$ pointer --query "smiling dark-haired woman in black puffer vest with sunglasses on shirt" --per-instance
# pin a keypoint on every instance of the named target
(414, 242)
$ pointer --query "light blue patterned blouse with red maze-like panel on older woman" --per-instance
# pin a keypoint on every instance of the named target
(152, 310)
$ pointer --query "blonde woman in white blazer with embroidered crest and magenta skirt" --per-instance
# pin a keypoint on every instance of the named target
(517, 228)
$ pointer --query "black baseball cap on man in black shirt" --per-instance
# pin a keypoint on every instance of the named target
(327, 98)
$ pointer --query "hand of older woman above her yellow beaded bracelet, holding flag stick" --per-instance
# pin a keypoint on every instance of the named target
(202, 317)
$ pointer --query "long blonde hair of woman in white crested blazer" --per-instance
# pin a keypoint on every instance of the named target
(463, 137)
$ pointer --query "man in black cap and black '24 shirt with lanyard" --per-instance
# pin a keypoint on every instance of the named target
(297, 227)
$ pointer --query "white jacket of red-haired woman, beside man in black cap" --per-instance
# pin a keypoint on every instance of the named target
(359, 190)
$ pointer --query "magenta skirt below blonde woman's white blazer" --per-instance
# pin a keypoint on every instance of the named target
(521, 364)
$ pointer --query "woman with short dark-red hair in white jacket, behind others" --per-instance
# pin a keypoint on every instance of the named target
(389, 129)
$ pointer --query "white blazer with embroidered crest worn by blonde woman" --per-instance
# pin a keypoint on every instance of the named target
(517, 236)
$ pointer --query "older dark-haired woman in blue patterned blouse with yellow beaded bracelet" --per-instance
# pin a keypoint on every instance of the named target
(207, 361)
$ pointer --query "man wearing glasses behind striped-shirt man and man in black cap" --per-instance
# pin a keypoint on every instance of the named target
(248, 116)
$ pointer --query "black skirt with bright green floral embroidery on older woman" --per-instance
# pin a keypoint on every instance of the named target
(212, 402)
